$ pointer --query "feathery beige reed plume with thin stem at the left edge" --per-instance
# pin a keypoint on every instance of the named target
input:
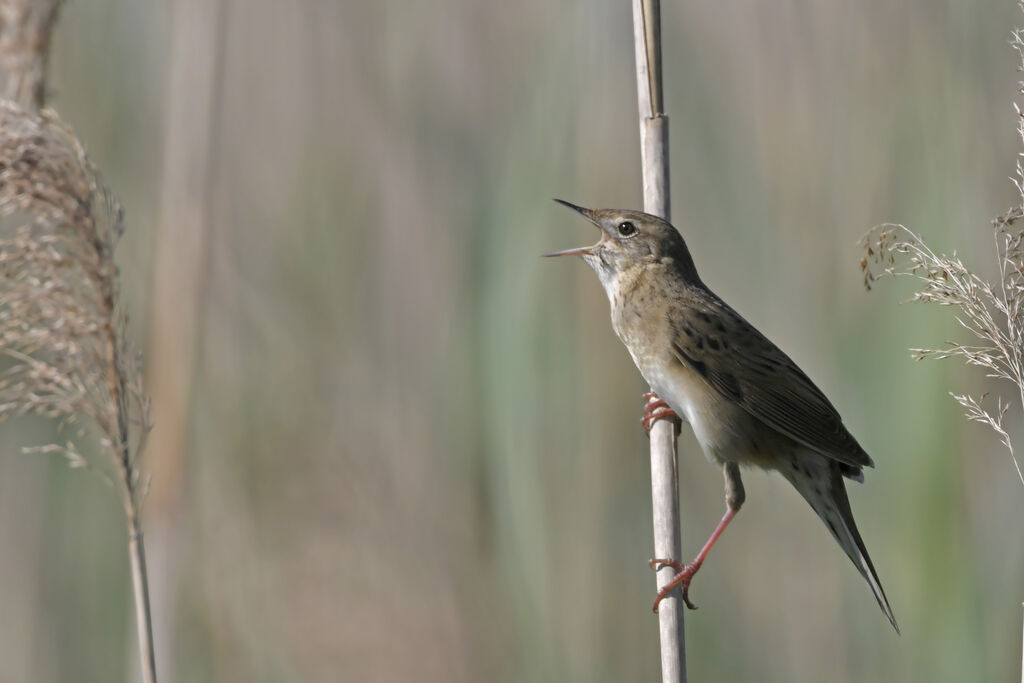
(62, 328)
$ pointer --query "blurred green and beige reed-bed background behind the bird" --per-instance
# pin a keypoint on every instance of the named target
(408, 449)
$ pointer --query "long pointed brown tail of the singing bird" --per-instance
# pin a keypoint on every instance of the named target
(821, 483)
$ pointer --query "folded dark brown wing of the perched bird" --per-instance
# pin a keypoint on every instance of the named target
(744, 366)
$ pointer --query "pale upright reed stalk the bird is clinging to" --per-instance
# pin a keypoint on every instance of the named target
(664, 464)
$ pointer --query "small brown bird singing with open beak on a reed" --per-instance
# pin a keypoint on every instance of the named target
(747, 402)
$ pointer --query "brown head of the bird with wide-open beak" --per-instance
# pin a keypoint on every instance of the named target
(629, 240)
